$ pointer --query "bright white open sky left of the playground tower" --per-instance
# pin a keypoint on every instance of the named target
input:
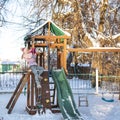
(12, 33)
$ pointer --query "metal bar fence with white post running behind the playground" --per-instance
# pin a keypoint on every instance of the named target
(10, 80)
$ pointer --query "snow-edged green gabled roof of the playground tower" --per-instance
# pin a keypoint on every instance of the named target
(43, 29)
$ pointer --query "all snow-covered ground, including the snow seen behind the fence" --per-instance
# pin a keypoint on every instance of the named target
(97, 108)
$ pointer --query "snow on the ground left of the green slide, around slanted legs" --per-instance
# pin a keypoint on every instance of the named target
(19, 111)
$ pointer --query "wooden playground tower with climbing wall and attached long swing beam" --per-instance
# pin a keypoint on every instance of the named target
(55, 40)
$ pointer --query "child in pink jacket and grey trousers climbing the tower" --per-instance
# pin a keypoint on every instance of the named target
(30, 56)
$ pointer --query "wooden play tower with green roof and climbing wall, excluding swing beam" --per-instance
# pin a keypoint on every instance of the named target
(42, 43)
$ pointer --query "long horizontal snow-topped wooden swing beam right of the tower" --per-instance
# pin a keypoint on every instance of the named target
(94, 49)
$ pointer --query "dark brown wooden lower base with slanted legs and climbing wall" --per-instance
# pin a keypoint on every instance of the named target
(34, 95)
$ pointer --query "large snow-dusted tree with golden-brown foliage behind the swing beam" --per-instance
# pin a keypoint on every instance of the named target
(92, 23)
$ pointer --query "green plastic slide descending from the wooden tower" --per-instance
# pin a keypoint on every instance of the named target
(65, 97)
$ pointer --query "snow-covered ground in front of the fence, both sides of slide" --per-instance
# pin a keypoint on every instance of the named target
(97, 109)
